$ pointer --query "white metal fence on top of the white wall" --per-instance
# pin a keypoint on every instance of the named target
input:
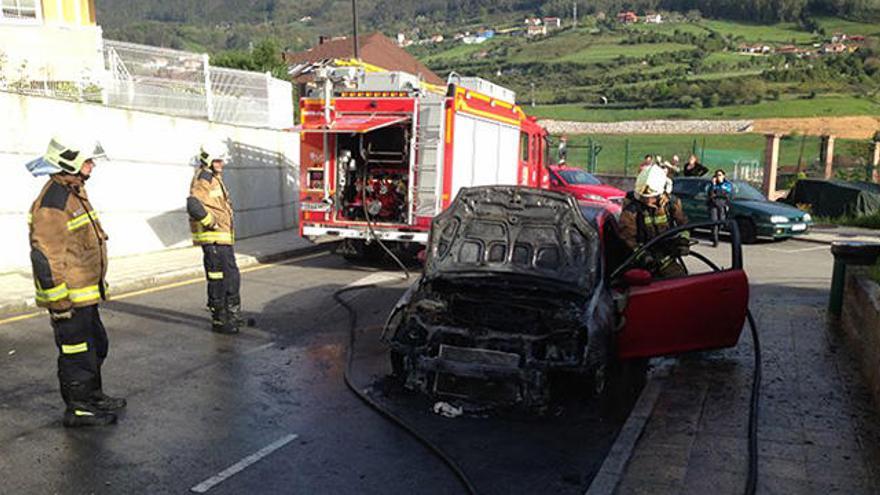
(171, 82)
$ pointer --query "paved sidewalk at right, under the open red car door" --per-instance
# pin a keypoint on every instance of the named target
(818, 432)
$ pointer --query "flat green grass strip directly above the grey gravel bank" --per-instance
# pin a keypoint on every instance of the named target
(820, 106)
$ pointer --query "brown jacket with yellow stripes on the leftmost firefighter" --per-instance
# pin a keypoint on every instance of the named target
(68, 246)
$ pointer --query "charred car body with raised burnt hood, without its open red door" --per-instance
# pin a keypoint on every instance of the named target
(512, 290)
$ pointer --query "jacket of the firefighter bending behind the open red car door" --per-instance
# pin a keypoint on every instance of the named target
(640, 222)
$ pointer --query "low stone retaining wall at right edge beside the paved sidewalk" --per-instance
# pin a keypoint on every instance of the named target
(860, 321)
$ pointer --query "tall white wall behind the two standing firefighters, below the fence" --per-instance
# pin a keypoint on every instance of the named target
(140, 191)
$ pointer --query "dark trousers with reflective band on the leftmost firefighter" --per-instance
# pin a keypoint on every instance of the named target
(82, 347)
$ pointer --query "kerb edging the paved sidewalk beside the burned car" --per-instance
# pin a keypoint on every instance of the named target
(614, 466)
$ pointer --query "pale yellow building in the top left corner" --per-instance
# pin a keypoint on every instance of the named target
(50, 41)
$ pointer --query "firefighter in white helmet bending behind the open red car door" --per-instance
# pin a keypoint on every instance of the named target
(648, 211)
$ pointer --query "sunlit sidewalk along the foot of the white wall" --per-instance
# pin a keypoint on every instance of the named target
(131, 273)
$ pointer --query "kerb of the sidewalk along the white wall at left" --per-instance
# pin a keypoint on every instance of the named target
(243, 261)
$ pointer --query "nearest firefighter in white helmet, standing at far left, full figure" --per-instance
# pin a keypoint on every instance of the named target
(69, 260)
